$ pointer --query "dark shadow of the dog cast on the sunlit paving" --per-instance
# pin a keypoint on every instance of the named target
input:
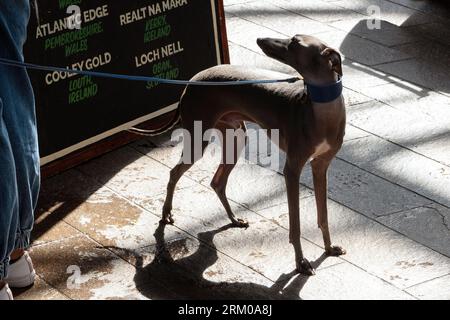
(169, 277)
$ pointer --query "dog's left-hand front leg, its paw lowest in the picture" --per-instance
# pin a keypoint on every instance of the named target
(292, 172)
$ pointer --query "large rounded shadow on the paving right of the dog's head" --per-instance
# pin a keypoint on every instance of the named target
(422, 54)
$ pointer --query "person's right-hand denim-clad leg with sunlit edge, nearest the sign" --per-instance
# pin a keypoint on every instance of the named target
(19, 116)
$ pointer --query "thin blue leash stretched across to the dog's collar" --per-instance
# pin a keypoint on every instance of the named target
(14, 63)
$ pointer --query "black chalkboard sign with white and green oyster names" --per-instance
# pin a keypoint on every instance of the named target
(171, 39)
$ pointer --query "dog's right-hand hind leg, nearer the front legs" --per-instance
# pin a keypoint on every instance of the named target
(220, 179)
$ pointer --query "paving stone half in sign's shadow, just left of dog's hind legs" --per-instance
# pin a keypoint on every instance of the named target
(131, 174)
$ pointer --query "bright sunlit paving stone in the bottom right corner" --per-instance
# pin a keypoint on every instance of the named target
(437, 289)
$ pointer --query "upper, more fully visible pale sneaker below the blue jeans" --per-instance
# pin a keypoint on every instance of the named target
(21, 273)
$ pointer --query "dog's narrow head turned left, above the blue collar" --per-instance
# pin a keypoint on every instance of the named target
(308, 55)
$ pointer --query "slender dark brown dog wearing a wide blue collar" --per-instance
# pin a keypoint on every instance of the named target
(309, 114)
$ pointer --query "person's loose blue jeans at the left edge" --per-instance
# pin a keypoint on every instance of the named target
(19, 155)
